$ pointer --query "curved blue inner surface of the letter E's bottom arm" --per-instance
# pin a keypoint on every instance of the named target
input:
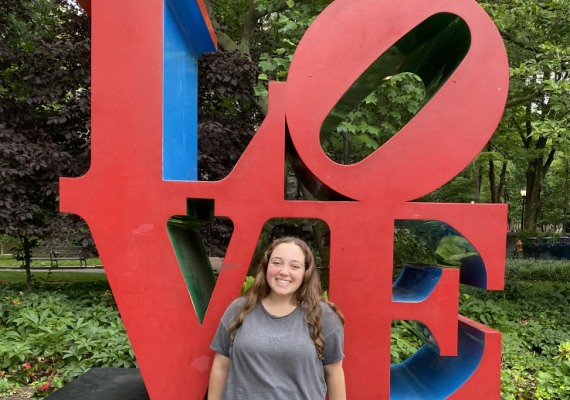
(429, 376)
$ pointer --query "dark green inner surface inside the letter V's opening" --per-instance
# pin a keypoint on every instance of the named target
(184, 232)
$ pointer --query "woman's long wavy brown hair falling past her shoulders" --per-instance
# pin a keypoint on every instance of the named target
(308, 296)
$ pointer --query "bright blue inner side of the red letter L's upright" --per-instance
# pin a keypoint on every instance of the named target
(186, 38)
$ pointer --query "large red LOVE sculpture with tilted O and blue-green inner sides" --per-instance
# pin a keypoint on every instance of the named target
(141, 177)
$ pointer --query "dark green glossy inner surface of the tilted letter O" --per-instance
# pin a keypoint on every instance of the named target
(432, 51)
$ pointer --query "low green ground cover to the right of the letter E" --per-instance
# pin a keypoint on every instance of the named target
(535, 325)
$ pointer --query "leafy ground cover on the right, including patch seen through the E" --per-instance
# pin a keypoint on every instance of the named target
(533, 314)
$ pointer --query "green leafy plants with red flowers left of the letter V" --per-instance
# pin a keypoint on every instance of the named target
(60, 331)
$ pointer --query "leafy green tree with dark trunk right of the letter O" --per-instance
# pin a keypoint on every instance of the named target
(537, 37)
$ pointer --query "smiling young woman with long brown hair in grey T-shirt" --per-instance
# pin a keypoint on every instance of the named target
(281, 340)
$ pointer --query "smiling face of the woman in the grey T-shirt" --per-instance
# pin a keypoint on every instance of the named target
(285, 269)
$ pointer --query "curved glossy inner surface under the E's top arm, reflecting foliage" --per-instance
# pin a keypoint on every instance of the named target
(450, 249)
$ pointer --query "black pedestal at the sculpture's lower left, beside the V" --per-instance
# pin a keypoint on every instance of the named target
(104, 384)
